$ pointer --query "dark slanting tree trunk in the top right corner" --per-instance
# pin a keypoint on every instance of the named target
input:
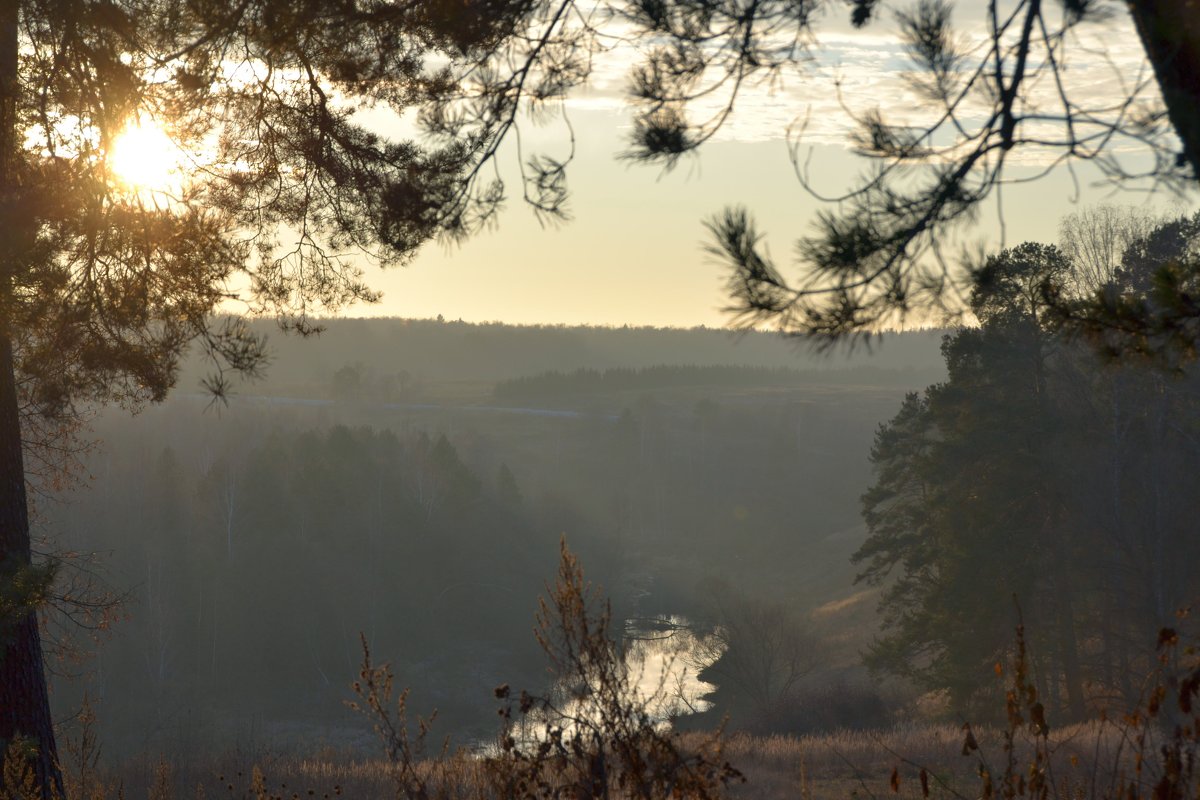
(1171, 34)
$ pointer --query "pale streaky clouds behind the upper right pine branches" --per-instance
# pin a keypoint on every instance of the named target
(850, 74)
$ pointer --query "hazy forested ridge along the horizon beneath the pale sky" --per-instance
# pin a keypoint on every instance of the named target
(430, 352)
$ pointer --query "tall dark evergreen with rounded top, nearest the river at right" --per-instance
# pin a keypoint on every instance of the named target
(965, 509)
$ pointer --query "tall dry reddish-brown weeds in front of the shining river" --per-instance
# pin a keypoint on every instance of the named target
(591, 737)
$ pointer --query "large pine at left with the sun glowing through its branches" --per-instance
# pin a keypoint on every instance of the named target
(104, 285)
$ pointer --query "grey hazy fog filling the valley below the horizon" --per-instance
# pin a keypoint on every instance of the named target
(410, 483)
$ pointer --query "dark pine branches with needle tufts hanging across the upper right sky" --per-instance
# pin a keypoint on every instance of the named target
(993, 91)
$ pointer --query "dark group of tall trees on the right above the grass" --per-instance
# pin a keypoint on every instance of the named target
(1039, 472)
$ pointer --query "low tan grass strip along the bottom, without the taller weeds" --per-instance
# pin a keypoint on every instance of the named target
(843, 766)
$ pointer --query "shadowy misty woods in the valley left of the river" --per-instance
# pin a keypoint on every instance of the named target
(256, 560)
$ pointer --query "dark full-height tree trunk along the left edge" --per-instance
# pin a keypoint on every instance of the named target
(25, 701)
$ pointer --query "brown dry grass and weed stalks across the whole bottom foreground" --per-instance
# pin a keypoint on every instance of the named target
(601, 742)
